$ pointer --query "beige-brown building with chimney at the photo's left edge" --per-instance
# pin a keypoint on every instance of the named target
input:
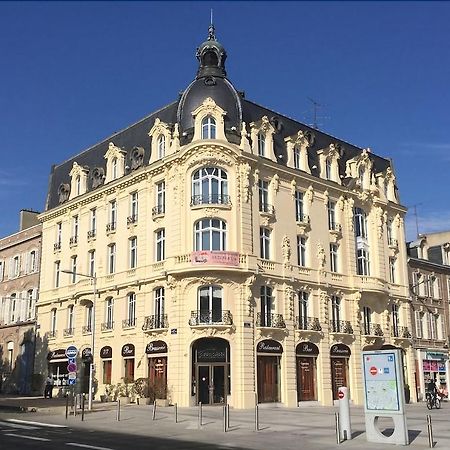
(19, 287)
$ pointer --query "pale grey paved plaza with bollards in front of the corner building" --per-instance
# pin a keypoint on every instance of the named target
(280, 428)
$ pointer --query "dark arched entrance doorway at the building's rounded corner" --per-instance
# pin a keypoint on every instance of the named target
(211, 381)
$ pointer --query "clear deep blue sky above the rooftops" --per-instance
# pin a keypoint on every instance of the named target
(74, 73)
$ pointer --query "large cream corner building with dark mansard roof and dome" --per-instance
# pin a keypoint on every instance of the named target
(237, 252)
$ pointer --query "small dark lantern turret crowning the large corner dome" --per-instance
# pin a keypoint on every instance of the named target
(211, 56)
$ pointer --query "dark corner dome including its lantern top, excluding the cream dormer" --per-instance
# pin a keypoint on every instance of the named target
(210, 82)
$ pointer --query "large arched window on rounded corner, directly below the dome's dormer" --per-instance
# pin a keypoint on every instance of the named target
(210, 185)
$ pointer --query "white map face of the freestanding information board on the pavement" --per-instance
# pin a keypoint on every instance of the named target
(381, 382)
